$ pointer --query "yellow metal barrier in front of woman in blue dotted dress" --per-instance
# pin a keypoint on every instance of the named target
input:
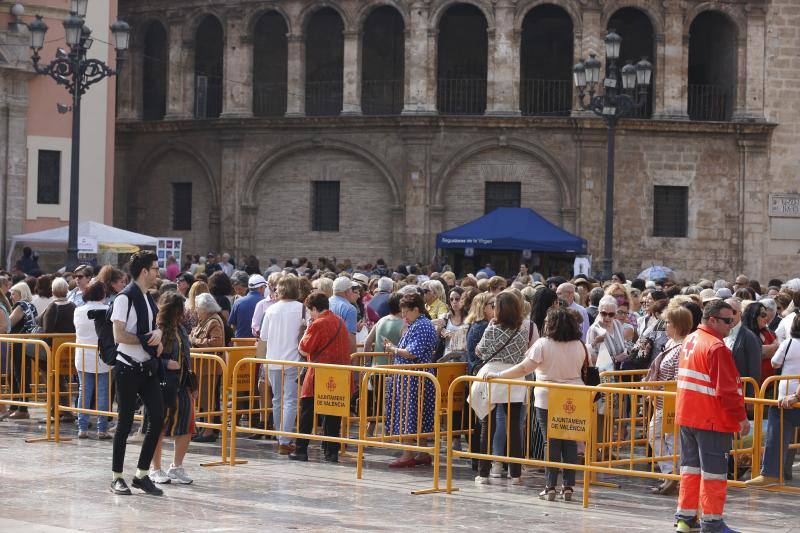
(404, 406)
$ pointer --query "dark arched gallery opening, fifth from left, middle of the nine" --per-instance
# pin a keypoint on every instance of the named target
(383, 62)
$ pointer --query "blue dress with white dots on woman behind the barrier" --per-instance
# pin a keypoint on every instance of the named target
(401, 400)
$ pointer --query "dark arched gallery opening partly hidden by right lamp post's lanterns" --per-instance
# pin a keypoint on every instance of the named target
(638, 41)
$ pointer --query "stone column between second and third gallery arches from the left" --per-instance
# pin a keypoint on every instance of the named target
(238, 68)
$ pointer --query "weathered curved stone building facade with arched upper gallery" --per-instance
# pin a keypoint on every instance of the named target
(398, 119)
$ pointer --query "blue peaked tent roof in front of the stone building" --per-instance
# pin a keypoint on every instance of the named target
(511, 228)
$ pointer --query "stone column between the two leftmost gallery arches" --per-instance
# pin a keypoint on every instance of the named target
(181, 59)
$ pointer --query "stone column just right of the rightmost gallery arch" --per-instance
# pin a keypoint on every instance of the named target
(752, 54)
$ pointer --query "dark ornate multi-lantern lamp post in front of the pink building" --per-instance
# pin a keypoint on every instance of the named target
(76, 73)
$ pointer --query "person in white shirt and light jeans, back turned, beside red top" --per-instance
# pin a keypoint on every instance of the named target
(279, 340)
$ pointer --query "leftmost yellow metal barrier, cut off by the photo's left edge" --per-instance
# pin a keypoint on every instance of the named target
(26, 365)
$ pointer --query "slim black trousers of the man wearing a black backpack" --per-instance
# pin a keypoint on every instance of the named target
(131, 382)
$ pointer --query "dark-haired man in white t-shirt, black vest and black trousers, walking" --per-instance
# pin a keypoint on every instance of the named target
(136, 372)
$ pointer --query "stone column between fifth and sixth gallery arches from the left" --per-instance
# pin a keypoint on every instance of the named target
(418, 66)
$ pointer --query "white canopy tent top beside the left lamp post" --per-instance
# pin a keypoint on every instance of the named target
(56, 238)
